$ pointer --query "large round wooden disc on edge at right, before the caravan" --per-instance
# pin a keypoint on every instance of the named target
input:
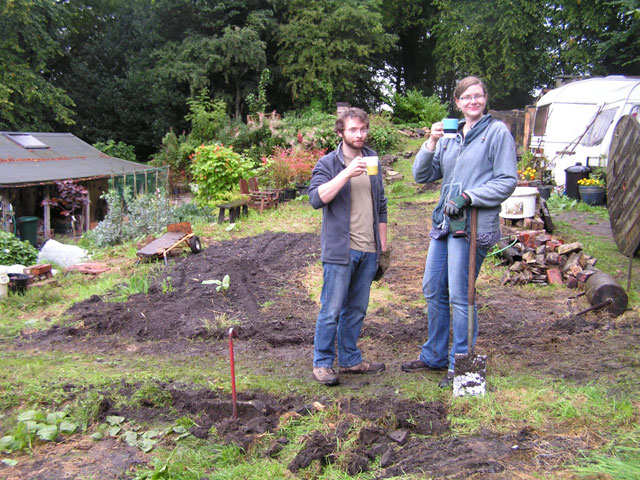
(623, 185)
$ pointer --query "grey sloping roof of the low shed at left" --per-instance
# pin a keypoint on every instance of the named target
(67, 157)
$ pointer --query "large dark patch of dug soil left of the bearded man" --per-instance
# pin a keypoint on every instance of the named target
(178, 304)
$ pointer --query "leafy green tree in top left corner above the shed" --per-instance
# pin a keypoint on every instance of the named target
(29, 100)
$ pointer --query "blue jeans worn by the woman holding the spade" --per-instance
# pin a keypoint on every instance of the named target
(445, 284)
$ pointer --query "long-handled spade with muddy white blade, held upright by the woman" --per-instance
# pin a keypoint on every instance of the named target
(470, 371)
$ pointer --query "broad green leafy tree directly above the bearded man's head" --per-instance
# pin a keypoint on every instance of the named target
(330, 51)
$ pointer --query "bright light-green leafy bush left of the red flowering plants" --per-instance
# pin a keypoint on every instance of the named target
(216, 170)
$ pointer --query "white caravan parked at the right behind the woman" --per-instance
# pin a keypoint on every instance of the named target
(575, 122)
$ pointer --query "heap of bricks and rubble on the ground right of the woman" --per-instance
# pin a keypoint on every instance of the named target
(544, 259)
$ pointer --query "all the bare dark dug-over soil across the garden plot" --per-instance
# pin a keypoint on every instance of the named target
(269, 307)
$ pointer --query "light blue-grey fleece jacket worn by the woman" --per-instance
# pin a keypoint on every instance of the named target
(483, 164)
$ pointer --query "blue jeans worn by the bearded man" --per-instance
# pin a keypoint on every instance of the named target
(344, 298)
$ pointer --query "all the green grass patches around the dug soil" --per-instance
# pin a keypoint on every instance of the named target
(50, 380)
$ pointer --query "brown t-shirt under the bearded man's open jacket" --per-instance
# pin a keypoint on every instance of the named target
(361, 222)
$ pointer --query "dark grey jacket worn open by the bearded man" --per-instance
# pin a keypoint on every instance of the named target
(336, 215)
